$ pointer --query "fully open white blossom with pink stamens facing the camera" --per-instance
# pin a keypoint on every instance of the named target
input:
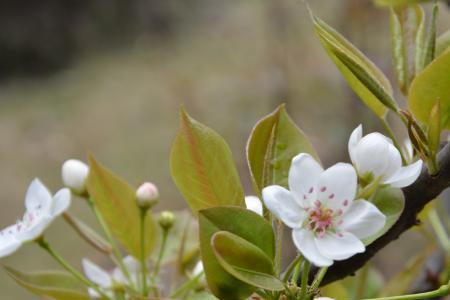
(328, 224)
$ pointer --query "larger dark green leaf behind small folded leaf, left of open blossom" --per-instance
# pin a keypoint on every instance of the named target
(243, 223)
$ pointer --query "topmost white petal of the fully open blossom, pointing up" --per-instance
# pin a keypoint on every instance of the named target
(303, 176)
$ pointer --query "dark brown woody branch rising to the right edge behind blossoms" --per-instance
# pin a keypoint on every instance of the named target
(417, 195)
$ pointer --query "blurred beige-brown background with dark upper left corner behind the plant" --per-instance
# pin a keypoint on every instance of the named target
(108, 76)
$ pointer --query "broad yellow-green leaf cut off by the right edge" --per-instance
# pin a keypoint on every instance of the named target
(431, 85)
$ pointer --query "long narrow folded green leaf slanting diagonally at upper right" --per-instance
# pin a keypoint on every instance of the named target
(366, 80)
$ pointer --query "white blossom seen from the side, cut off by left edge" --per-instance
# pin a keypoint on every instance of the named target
(41, 209)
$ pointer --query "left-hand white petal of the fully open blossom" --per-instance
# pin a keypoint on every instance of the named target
(283, 205)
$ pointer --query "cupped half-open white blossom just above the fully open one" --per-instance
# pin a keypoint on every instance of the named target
(375, 154)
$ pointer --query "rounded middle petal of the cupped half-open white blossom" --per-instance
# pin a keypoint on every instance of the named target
(371, 155)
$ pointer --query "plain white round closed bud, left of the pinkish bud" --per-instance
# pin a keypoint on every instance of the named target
(74, 175)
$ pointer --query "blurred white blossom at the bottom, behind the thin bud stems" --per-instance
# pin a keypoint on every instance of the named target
(107, 280)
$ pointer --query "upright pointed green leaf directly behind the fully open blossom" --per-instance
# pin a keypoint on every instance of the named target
(274, 141)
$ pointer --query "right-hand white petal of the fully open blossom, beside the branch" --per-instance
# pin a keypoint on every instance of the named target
(363, 219)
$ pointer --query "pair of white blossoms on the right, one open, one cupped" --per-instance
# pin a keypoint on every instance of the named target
(328, 219)
